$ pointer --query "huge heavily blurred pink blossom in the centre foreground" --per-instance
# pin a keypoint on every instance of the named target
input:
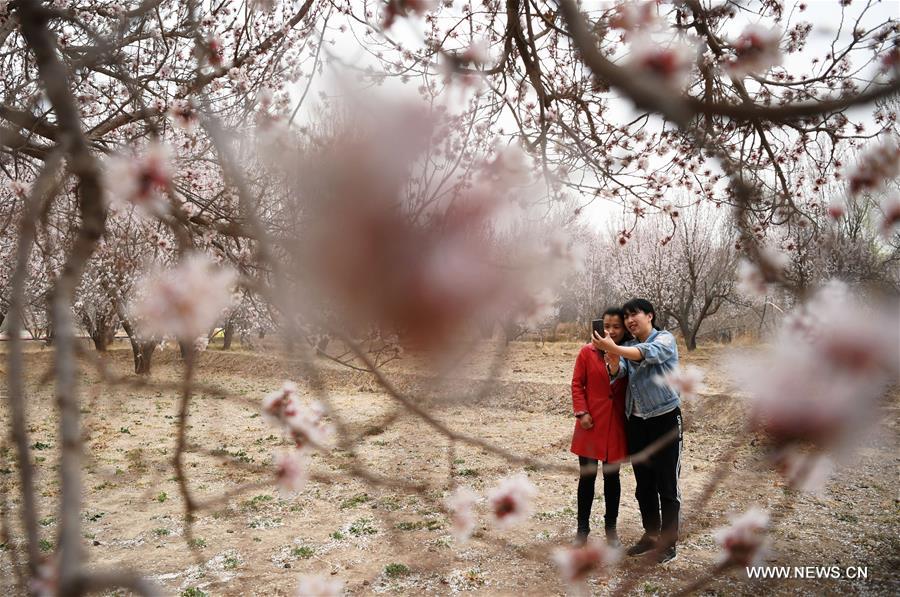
(426, 276)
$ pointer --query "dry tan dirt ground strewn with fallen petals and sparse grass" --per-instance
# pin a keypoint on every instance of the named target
(385, 540)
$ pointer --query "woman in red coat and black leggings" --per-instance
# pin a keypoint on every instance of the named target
(600, 427)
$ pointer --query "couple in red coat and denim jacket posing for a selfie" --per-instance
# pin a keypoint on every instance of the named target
(621, 409)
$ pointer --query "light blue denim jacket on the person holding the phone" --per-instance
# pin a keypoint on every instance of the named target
(646, 397)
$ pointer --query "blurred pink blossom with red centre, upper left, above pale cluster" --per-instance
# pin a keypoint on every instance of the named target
(142, 181)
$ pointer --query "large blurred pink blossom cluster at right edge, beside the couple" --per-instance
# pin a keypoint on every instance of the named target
(819, 382)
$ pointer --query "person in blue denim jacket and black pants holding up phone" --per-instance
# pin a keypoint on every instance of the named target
(654, 414)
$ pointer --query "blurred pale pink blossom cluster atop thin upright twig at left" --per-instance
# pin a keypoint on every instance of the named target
(184, 301)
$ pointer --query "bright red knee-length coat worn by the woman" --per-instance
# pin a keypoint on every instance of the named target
(605, 441)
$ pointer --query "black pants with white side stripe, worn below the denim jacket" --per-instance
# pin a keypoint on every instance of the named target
(657, 478)
